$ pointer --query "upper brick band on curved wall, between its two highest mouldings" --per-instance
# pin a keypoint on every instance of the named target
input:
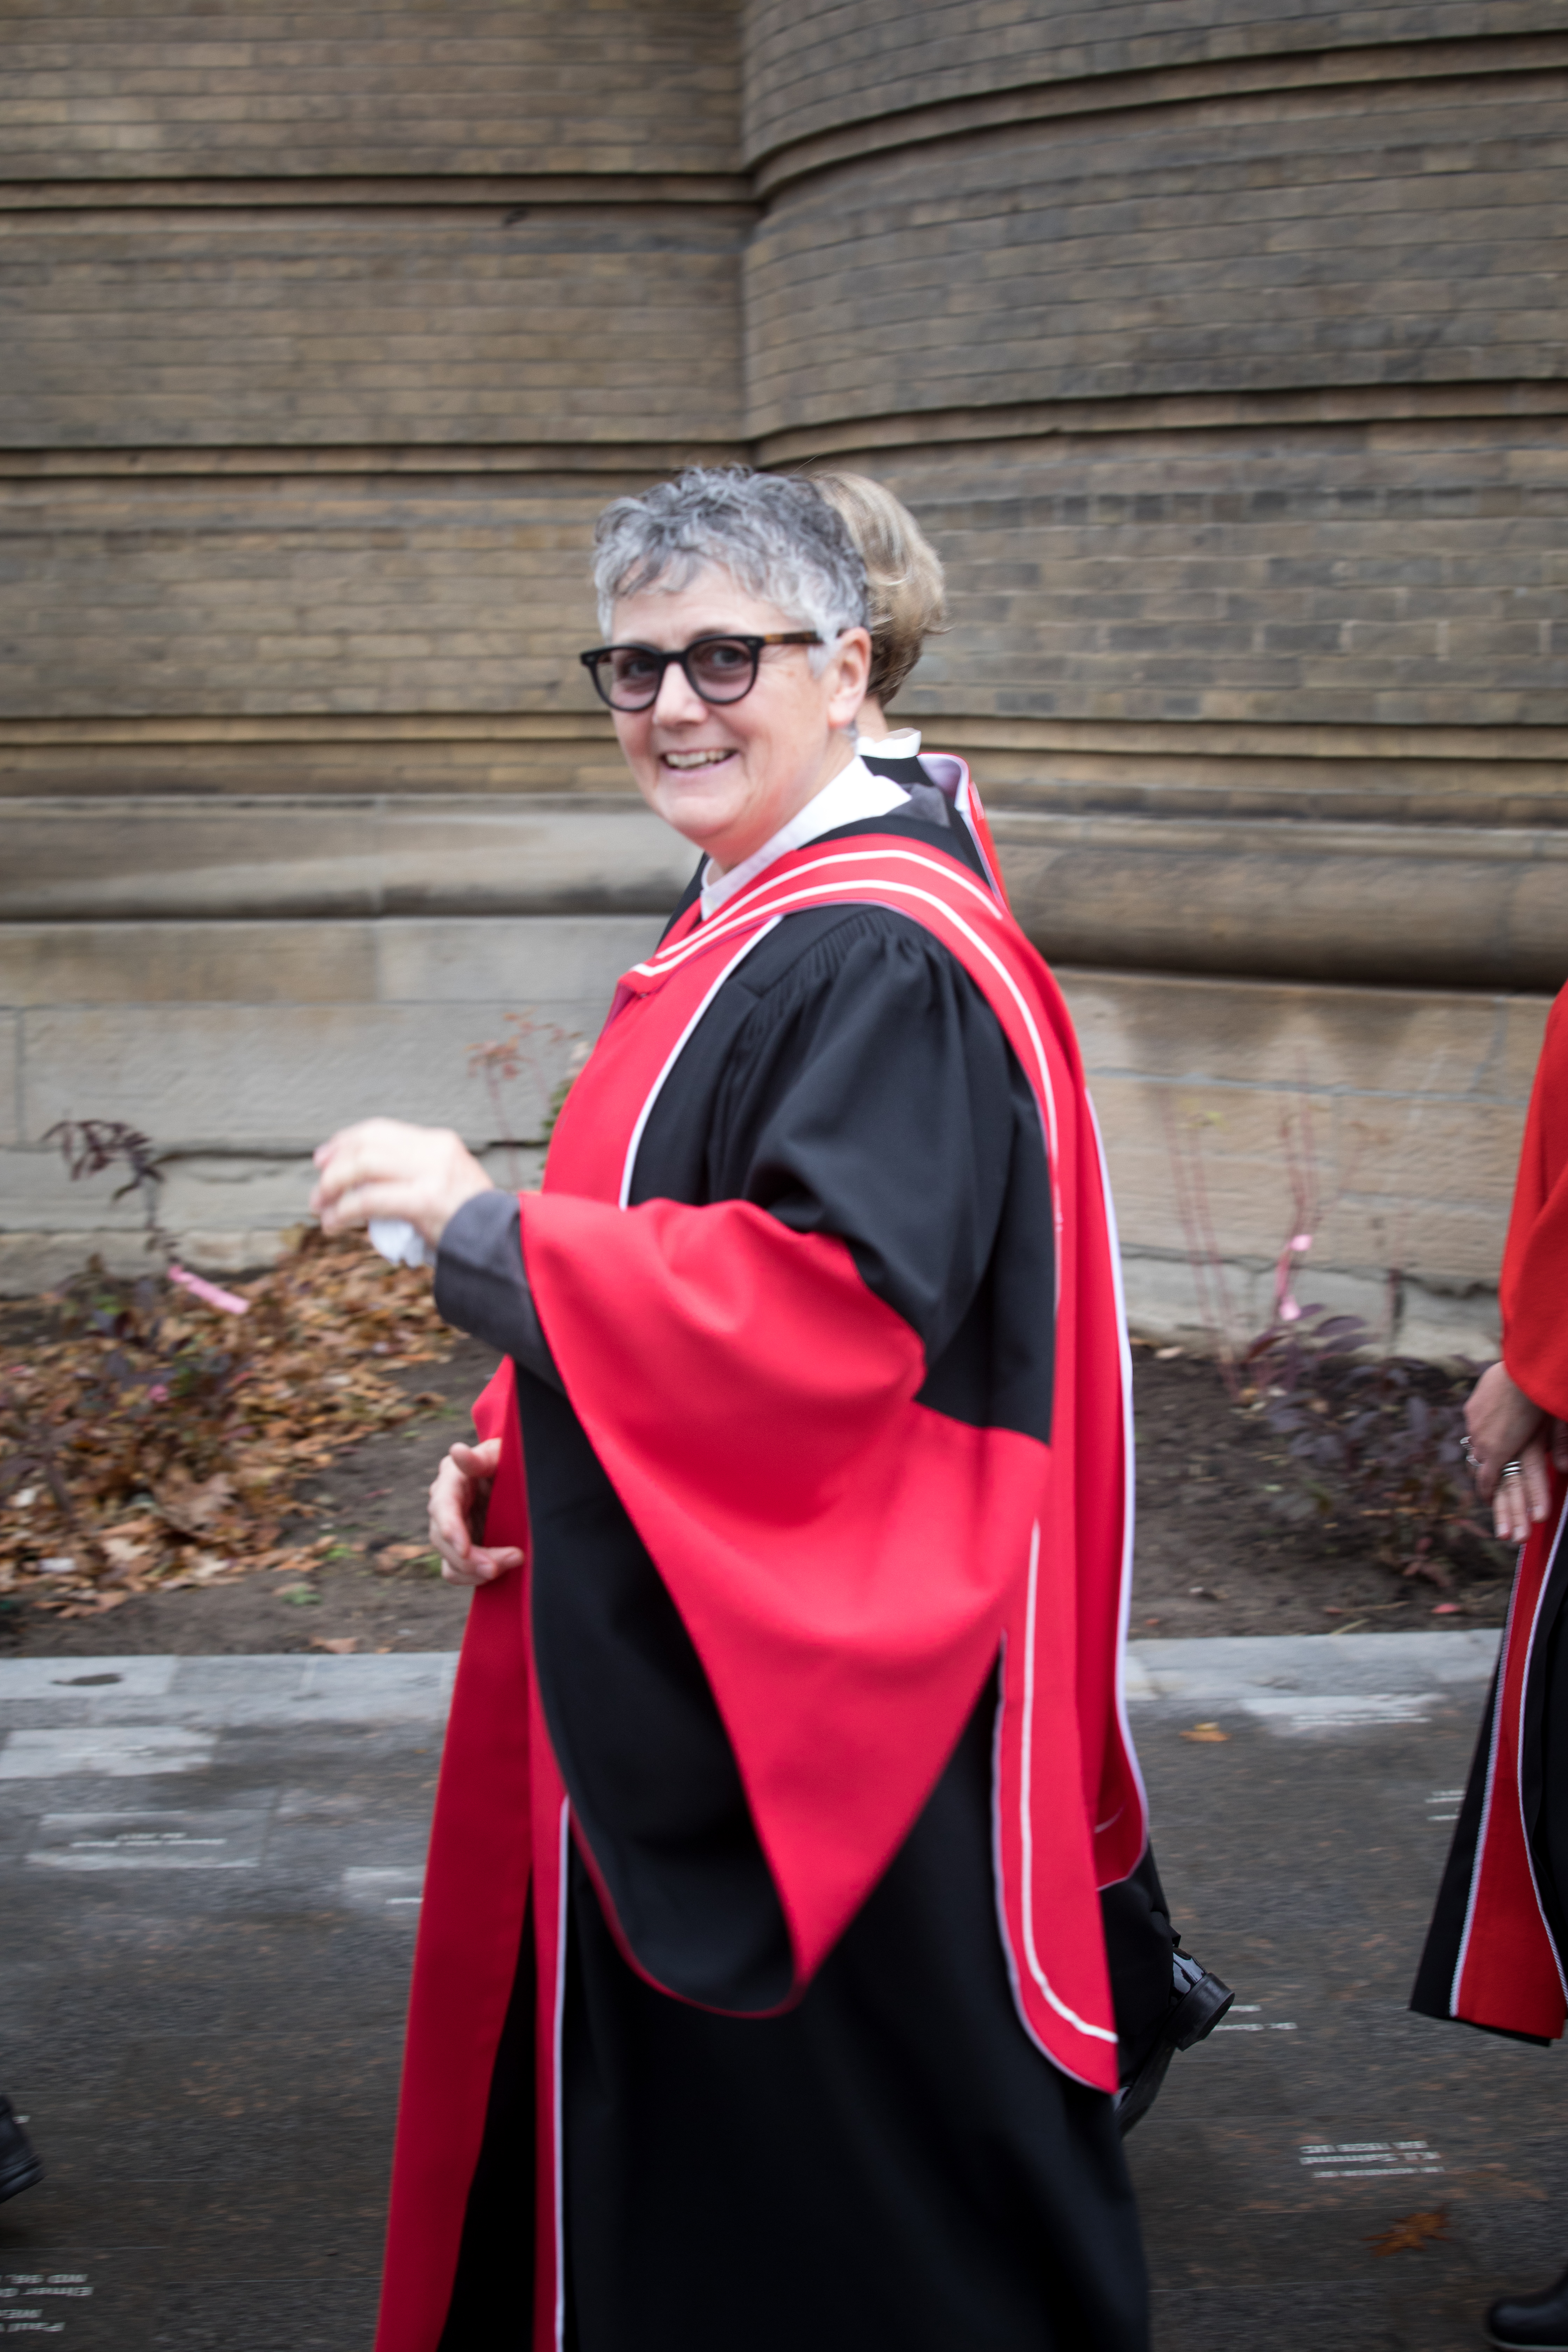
(1268, 243)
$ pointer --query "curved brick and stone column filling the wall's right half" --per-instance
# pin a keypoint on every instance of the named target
(1224, 356)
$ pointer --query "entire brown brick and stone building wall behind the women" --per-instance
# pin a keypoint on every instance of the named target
(1219, 352)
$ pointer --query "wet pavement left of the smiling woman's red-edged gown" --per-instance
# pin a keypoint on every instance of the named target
(210, 1883)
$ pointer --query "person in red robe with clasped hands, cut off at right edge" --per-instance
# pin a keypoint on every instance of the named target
(1499, 1942)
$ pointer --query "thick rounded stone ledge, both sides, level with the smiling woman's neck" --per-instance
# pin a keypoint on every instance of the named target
(1447, 907)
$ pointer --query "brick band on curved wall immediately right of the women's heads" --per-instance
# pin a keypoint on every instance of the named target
(1343, 580)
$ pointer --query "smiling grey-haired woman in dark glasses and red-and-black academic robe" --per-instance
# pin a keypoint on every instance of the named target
(760, 1993)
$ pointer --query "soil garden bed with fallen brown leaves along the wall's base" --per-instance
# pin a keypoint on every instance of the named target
(297, 1514)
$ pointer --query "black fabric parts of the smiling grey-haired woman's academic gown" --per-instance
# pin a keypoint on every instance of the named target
(892, 2160)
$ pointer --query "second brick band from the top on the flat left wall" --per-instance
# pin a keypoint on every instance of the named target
(368, 326)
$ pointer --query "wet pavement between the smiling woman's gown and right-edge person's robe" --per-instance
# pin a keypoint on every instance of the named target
(1325, 2123)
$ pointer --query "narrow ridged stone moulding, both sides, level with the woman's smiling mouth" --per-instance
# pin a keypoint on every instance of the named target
(1487, 777)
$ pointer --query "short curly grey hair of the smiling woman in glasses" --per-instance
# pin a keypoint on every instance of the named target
(772, 533)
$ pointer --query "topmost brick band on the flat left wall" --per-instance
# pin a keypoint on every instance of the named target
(128, 91)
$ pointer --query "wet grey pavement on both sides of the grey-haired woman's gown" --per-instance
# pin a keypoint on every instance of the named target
(210, 1883)
